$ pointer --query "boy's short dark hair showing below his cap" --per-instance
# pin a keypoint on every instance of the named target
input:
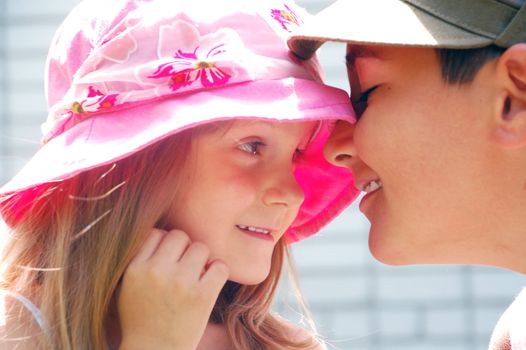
(459, 66)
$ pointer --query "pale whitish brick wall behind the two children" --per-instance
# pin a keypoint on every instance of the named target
(357, 302)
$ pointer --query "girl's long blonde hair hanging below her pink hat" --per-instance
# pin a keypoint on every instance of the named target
(68, 252)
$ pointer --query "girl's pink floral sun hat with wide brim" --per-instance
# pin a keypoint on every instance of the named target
(122, 75)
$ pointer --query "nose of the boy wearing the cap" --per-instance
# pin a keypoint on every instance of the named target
(340, 149)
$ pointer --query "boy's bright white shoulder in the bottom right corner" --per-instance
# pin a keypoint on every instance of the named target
(510, 331)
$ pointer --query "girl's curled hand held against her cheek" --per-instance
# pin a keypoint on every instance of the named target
(168, 292)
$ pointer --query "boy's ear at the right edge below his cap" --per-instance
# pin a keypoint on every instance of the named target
(510, 131)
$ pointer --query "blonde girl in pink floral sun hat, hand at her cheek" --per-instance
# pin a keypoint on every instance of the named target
(181, 154)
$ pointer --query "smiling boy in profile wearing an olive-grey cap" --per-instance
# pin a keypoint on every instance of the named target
(440, 144)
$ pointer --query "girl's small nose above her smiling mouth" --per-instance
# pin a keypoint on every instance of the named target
(283, 189)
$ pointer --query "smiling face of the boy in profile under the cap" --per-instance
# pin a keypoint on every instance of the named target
(427, 142)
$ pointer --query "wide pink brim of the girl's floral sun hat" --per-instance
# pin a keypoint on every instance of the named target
(105, 138)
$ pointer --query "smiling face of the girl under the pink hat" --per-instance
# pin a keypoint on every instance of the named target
(239, 194)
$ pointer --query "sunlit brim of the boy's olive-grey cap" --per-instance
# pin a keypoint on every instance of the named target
(380, 22)
